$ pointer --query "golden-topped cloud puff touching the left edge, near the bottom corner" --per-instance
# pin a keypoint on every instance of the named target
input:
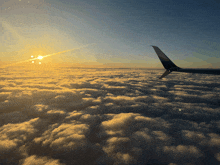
(13, 136)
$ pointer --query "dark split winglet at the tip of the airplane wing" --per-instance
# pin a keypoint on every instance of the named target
(167, 63)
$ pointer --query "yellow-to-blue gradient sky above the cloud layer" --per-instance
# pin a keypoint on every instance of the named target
(119, 32)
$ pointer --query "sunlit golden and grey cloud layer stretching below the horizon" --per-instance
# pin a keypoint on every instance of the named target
(67, 115)
